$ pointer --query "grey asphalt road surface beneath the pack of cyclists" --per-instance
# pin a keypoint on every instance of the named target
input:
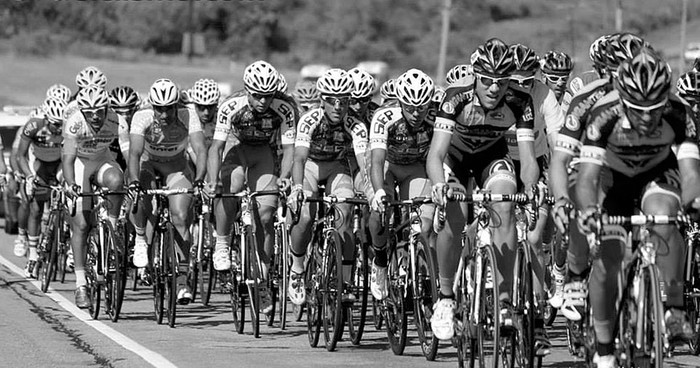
(46, 330)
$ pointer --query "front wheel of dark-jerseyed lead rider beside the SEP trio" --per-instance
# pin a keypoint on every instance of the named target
(487, 348)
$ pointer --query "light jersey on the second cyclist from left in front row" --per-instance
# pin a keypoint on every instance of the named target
(82, 139)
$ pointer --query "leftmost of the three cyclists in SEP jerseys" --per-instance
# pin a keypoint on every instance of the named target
(259, 118)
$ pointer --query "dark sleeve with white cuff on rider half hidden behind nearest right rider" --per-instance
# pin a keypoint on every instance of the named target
(570, 135)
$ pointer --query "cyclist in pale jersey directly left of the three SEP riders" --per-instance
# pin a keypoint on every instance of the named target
(158, 141)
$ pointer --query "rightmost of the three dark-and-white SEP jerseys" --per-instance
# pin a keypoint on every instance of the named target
(403, 143)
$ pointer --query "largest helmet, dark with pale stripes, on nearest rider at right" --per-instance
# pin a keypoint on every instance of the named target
(645, 80)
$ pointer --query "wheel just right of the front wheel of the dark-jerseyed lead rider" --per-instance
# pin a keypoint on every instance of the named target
(524, 311)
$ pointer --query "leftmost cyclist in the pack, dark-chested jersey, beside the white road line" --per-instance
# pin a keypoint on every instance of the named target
(44, 137)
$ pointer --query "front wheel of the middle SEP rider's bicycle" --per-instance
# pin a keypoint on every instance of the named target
(332, 290)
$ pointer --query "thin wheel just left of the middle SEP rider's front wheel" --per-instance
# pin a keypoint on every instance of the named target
(312, 283)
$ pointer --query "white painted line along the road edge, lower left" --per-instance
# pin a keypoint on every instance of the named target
(150, 356)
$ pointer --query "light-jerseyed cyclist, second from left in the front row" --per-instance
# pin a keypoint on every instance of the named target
(87, 135)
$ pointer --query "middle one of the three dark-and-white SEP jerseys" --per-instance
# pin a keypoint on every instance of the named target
(327, 142)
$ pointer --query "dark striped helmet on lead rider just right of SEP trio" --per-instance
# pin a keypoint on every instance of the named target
(493, 58)
